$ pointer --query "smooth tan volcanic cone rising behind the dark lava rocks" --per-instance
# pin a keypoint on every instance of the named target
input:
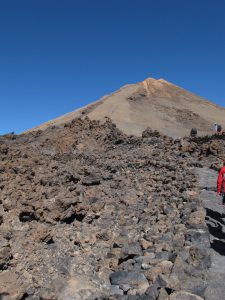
(158, 104)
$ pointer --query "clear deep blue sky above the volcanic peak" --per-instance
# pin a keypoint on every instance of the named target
(58, 55)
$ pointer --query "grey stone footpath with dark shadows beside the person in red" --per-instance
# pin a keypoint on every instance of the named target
(215, 220)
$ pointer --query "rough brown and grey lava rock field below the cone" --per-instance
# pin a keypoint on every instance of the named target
(87, 212)
